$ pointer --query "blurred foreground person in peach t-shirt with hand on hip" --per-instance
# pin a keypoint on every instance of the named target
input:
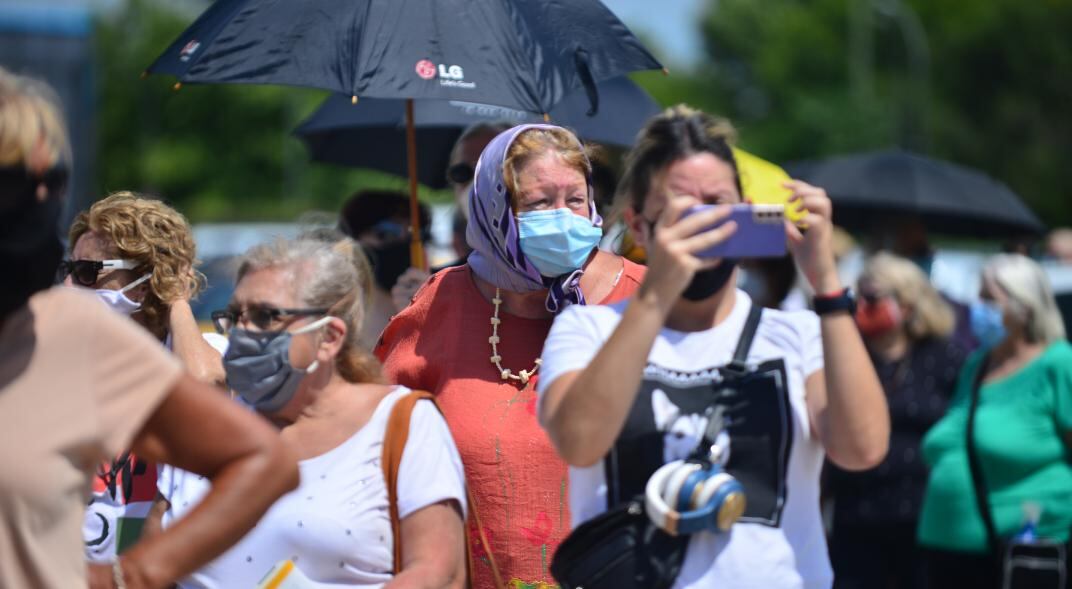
(79, 385)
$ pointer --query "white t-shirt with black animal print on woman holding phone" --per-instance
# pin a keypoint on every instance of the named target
(794, 553)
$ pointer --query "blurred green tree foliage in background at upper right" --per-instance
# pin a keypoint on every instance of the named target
(982, 84)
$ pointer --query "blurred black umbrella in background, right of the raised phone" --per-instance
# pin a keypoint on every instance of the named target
(950, 199)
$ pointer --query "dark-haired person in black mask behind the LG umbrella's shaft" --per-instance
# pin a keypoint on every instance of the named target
(380, 222)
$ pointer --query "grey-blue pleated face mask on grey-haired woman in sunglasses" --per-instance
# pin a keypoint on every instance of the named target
(259, 370)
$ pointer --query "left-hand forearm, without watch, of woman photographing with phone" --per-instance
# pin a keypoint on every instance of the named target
(585, 413)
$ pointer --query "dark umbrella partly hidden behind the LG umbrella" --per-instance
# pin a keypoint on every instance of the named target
(371, 135)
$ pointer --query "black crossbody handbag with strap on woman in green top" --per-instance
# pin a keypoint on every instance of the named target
(1018, 565)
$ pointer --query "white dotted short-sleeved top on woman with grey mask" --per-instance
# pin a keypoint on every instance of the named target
(336, 526)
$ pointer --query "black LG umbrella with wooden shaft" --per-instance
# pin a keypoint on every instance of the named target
(522, 54)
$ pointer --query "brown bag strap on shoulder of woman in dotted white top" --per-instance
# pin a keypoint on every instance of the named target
(395, 439)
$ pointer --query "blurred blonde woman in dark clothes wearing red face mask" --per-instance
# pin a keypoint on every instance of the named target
(907, 328)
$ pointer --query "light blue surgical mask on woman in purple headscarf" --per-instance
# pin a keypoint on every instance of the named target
(557, 242)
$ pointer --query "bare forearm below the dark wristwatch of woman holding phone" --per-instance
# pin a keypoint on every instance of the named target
(855, 424)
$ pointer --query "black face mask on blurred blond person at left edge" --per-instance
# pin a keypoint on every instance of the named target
(31, 247)
